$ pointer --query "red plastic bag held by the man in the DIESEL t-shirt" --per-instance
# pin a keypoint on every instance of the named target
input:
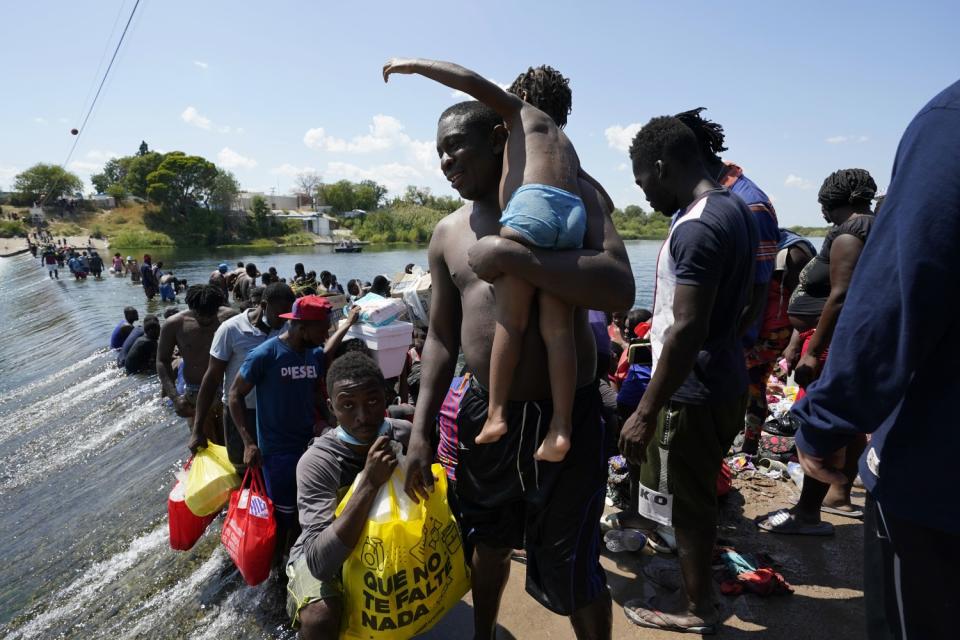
(249, 532)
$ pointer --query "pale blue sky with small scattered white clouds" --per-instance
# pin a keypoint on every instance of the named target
(269, 89)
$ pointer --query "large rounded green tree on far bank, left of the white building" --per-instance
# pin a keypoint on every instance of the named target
(182, 183)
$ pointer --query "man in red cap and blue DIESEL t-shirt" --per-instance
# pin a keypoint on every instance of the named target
(287, 371)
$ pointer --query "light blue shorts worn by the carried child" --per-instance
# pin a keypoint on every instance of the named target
(548, 217)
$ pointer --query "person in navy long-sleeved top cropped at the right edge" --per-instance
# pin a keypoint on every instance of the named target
(892, 372)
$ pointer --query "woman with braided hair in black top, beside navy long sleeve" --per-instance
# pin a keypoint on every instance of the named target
(815, 306)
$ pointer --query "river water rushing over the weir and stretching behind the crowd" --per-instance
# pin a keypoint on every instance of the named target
(88, 456)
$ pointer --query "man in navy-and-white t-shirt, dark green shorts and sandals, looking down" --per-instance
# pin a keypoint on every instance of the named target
(693, 406)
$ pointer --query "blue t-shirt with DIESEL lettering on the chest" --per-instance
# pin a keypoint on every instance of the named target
(286, 384)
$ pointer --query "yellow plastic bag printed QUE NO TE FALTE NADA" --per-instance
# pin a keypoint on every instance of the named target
(408, 570)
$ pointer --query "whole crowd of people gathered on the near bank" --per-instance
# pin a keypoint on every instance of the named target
(534, 371)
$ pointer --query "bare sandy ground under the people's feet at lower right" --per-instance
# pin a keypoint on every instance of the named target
(826, 574)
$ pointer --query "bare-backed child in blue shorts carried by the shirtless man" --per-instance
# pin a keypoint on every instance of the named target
(542, 207)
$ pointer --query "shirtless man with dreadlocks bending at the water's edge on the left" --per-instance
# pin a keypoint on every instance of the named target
(192, 331)
